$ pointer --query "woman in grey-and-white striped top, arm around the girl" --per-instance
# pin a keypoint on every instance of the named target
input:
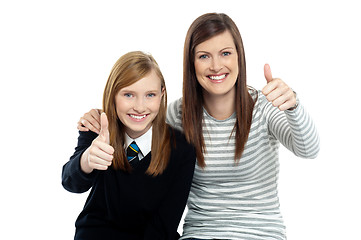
(236, 131)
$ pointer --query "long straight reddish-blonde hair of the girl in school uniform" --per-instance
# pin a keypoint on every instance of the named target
(129, 69)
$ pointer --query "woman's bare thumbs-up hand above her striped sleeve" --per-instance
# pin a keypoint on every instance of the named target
(278, 92)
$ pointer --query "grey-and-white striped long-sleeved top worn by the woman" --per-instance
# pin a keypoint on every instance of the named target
(240, 201)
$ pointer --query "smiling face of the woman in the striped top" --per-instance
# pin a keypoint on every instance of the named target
(216, 65)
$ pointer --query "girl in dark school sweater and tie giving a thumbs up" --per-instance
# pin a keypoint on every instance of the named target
(138, 168)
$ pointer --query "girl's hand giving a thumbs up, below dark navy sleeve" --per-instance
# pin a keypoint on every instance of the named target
(100, 154)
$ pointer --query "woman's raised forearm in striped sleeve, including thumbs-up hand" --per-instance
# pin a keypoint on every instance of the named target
(287, 119)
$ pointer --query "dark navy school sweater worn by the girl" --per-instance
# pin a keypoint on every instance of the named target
(131, 205)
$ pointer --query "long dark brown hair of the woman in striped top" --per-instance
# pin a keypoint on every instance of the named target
(202, 29)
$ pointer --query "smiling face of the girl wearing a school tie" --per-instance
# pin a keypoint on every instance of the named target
(138, 104)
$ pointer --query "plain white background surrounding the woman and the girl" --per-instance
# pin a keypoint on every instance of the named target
(55, 57)
